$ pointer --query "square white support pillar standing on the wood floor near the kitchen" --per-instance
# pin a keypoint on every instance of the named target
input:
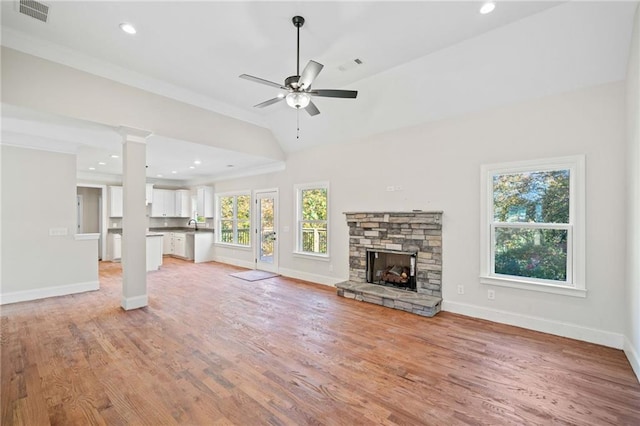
(134, 219)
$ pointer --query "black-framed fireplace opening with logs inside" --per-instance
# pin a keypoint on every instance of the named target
(392, 268)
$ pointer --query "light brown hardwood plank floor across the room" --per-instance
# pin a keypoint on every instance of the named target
(211, 349)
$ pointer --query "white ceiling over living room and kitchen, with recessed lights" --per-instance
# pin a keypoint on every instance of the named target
(422, 61)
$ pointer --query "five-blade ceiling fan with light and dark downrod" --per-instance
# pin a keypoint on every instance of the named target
(299, 85)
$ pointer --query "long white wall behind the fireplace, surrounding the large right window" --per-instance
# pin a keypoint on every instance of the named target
(438, 167)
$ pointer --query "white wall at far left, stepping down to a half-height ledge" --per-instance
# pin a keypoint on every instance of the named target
(38, 194)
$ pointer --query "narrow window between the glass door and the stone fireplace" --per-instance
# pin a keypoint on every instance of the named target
(312, 223)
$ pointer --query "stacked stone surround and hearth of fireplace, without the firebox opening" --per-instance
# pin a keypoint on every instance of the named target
(419, 232)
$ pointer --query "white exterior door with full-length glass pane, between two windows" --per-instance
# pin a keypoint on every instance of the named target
(266, 230)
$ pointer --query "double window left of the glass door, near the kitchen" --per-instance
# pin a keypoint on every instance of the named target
(234, 218)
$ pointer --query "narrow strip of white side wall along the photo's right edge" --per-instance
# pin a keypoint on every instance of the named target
(632, 342)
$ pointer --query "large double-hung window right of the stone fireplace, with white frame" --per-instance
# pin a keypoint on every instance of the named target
(533, 225)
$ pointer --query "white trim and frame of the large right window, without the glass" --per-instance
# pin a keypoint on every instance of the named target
(576, 250)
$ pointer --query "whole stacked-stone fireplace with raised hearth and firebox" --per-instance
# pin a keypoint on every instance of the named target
(395, 260)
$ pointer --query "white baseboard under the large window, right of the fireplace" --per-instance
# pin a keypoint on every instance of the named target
(573, 331)
